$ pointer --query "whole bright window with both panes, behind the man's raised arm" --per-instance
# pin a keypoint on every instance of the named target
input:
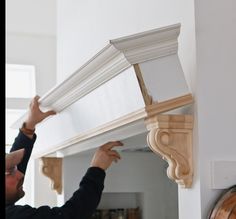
(20, 88)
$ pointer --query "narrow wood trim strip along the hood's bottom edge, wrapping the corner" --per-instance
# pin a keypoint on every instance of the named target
(117, 126)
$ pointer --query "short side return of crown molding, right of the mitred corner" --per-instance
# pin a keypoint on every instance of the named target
(149, 45)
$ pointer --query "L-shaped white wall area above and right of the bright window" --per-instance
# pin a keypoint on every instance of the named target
(36, 50)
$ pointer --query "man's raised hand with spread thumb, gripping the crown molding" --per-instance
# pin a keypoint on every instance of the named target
(35, 115)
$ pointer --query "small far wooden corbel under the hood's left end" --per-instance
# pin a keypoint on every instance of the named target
(52, 168)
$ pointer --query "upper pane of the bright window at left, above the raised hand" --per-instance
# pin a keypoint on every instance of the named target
(20, 81)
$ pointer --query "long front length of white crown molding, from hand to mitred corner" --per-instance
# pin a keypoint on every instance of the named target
(99, 70)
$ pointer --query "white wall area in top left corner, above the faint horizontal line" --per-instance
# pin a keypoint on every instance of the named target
(35, 17)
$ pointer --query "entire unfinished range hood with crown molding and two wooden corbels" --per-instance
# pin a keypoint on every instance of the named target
(123, 91)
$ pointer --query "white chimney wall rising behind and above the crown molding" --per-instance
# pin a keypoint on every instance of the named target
(85, 27)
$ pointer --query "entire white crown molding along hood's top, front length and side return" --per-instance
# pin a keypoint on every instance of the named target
(117, 56)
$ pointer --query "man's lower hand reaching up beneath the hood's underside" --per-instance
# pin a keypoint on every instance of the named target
(104, 155)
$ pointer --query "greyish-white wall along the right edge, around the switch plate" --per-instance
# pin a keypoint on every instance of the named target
(216, 77)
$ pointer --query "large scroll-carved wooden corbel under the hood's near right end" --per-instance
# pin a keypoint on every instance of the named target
(170, 136)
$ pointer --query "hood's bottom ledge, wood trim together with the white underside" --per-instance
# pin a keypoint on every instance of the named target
(129, 125)
